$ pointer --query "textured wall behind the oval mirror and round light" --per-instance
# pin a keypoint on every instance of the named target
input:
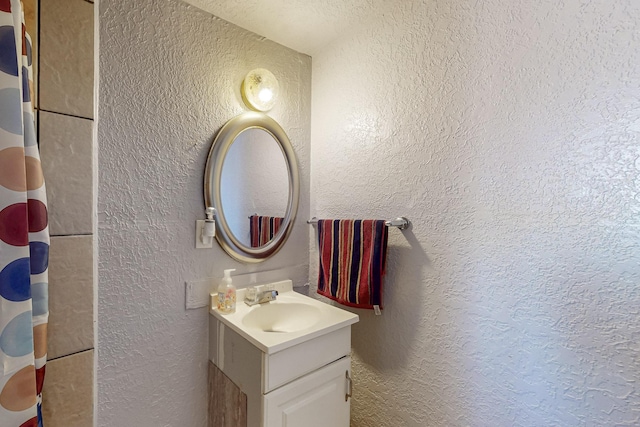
(169, 79)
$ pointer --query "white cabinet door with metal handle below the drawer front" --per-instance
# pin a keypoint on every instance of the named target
(315, 400)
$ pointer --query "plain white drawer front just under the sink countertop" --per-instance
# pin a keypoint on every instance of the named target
(287, 365)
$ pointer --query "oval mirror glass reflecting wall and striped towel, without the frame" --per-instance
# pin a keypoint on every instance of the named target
(254, 187)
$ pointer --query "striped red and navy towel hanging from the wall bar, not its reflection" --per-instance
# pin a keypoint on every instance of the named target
(352, 261)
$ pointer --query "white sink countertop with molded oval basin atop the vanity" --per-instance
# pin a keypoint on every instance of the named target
(291, 319)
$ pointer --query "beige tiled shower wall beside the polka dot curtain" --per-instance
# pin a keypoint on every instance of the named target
(62, 35)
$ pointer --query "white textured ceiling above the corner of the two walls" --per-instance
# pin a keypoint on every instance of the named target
(303, 25)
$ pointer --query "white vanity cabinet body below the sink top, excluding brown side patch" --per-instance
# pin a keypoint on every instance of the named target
(306, 385)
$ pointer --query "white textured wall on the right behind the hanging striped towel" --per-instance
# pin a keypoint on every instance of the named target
(508, 132)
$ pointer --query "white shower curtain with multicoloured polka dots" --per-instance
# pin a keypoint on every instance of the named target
(24, 232)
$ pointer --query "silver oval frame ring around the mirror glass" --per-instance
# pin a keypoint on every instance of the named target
(213, 177)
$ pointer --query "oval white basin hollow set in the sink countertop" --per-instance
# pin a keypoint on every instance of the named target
(282, 317)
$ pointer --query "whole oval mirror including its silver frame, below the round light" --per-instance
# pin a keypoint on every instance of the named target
(251, 179)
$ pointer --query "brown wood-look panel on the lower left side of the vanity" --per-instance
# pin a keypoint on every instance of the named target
(227, 404)
